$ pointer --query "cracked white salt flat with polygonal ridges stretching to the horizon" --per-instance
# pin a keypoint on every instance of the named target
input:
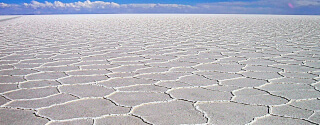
(159, 69)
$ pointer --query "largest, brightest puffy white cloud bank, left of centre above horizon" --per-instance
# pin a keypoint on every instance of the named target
(99, 6)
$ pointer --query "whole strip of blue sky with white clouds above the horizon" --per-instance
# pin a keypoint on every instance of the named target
(287, 7)
